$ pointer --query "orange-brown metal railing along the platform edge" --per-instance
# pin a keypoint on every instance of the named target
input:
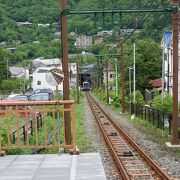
(35, 125)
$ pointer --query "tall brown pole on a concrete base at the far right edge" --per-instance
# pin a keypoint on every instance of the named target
(175, 139)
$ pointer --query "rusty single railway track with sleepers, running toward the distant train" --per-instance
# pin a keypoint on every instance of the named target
(131, 161)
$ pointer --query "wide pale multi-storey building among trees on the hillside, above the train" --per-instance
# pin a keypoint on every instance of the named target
(83, 41)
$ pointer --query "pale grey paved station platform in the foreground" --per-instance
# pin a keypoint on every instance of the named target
(52, 167)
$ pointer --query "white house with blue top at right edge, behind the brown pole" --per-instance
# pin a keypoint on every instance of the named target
(167, 64)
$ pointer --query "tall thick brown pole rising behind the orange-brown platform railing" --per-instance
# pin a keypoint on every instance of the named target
(64, 42)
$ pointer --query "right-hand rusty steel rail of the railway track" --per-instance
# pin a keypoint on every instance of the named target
(146, 158)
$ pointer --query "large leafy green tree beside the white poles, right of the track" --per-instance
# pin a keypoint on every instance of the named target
(148, 62)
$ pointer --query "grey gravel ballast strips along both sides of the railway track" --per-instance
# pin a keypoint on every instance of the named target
(154, 150)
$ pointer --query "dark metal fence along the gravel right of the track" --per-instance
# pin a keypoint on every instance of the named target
(160, 119)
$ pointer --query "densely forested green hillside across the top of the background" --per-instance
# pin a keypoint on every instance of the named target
(48, 12)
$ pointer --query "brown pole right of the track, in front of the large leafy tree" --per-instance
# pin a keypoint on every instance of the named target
(122, 79)
